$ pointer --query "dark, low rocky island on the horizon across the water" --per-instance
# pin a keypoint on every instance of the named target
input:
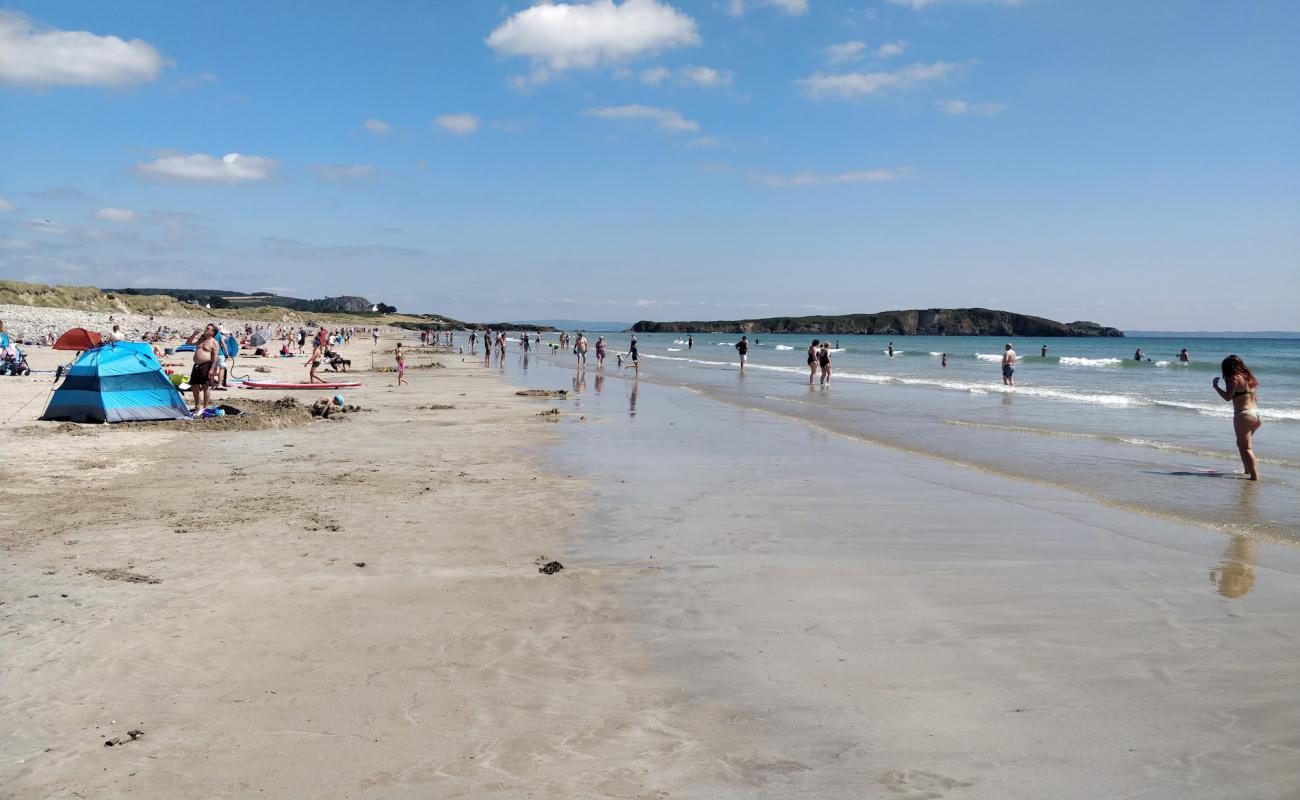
(918, 322)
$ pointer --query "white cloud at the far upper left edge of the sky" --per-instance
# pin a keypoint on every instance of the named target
(38, 58)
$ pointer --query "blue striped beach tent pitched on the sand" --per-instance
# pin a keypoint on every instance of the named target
(116, 383)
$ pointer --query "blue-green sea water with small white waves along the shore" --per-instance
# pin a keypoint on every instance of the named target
(1149, 435)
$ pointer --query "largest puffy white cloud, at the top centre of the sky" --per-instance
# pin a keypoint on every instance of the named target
(558, 37)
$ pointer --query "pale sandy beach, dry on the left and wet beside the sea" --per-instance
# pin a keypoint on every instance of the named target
(749, 608)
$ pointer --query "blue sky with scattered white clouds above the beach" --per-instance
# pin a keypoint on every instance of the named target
(1129, 163)
